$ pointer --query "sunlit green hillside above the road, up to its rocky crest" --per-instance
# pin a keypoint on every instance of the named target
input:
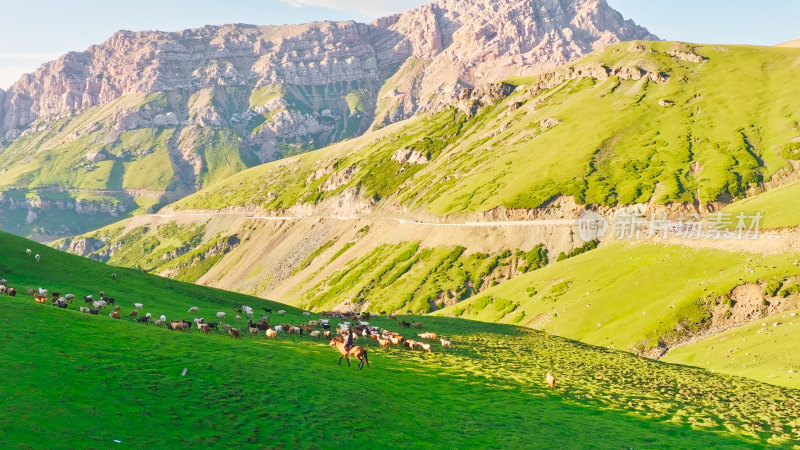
(646, 121)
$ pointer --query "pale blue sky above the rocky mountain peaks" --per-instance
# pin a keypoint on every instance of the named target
(35, 31)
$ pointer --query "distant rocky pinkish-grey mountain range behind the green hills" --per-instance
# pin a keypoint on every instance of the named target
(149, 117)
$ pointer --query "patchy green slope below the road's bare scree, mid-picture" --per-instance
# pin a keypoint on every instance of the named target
(407, 278)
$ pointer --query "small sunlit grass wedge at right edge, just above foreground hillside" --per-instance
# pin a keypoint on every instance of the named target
(756, 351)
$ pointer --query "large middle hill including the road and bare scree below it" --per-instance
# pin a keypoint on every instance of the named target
(327, 215)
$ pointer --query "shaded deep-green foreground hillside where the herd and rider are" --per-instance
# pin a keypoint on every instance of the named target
(101, 380)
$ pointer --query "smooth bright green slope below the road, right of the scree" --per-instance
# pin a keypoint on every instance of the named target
(623, 295)
